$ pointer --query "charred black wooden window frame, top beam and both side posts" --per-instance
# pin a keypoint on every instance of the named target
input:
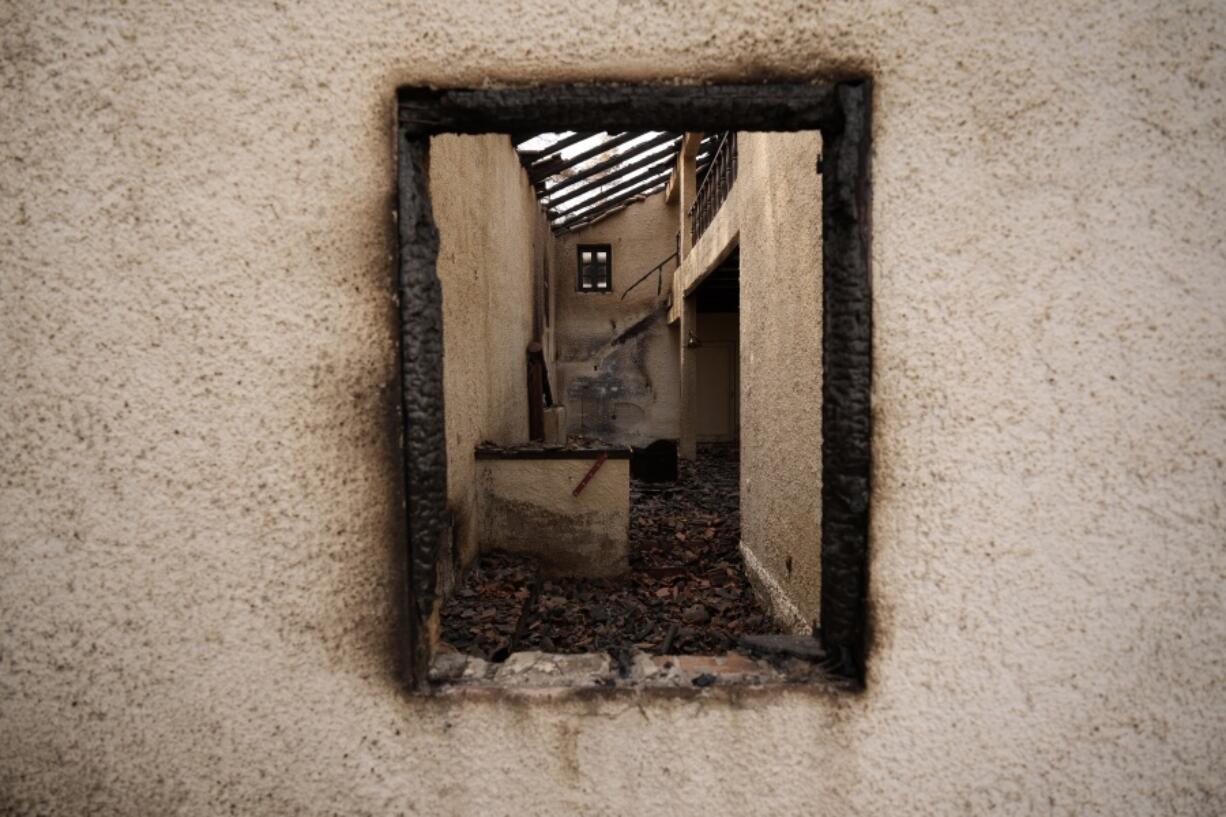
(843, 112)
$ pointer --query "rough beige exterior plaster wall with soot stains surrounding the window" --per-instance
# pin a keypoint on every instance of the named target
(197, 499)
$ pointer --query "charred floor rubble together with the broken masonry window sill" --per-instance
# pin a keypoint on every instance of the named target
(686, 594)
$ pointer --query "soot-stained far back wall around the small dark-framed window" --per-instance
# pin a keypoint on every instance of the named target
(621, 354)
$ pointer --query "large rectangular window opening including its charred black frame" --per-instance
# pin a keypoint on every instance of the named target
(600, 534)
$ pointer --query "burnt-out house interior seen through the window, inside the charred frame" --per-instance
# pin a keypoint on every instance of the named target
(628, 318)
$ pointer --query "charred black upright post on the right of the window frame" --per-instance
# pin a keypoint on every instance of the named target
(847, 386)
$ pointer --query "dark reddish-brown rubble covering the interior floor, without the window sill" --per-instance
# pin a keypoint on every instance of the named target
(687, 592)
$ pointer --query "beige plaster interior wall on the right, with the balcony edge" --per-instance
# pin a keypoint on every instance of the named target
(774, 213)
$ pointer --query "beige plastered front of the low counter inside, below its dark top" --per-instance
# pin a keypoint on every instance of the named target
(528, 507)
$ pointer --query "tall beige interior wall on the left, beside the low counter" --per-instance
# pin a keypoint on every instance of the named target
(492, 240)
